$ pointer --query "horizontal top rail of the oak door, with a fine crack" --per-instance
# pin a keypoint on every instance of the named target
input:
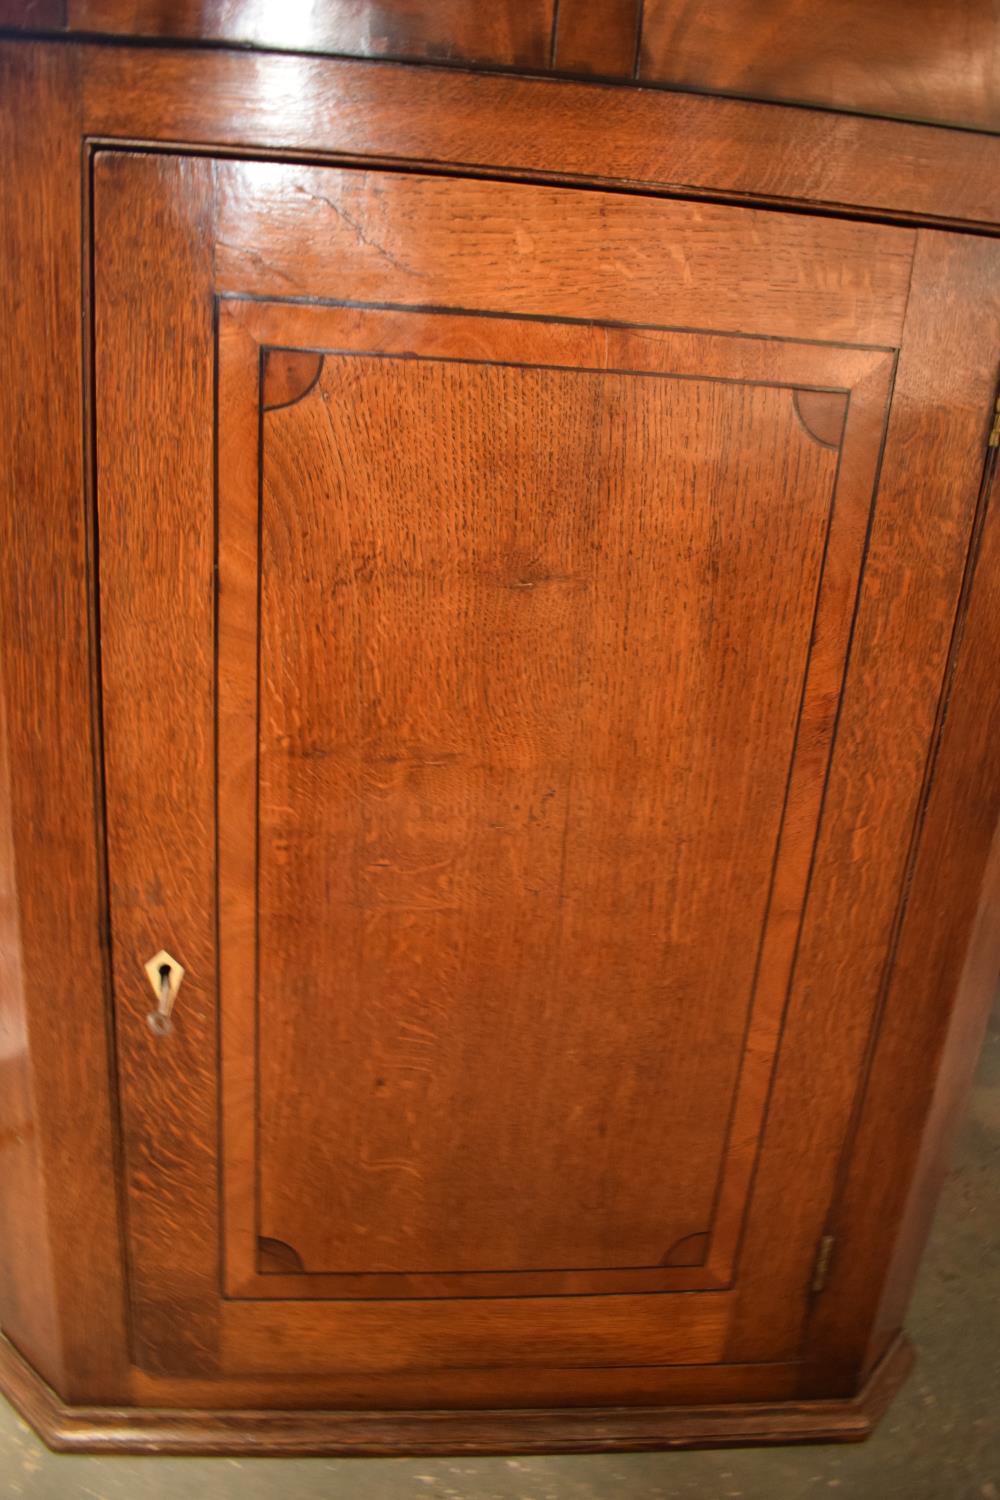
(431, 242)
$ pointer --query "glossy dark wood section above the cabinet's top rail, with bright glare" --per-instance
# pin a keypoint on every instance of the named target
(939, 65)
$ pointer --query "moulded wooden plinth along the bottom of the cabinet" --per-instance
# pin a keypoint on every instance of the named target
(576, 1430)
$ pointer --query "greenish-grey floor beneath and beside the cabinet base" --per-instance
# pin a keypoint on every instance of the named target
(939, 1442)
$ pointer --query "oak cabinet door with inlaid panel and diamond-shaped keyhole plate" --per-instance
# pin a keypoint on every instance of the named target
(478, 575)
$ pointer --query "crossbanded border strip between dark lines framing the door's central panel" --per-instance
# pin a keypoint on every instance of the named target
(247, 329)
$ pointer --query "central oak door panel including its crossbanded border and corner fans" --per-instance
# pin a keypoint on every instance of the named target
(503, 782)
